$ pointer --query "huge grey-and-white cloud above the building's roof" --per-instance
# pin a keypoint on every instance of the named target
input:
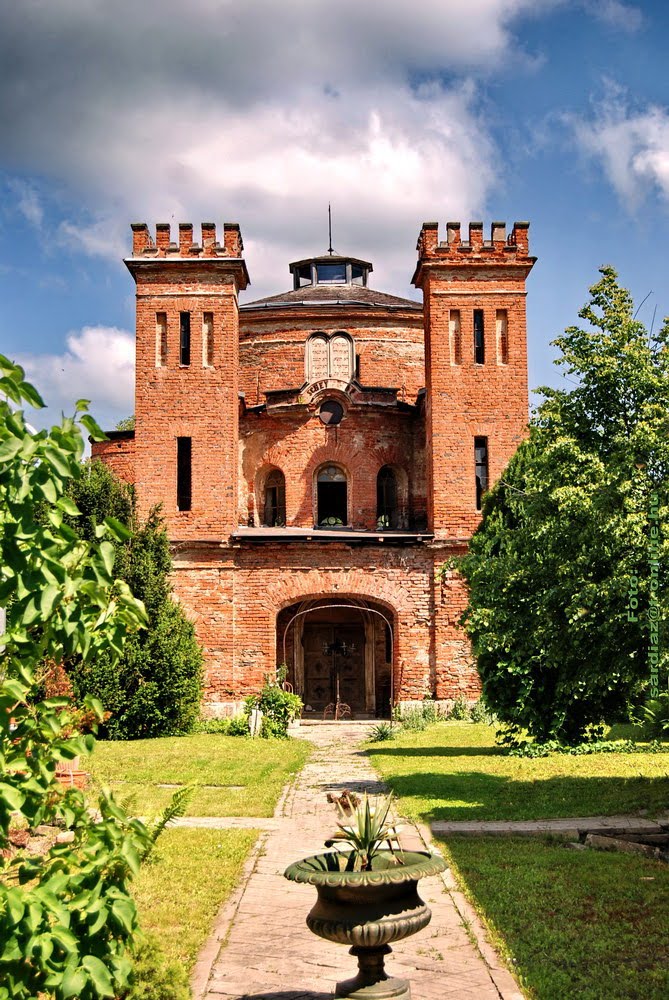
(258, 113)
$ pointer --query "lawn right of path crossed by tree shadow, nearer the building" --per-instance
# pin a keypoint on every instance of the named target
(454, 771)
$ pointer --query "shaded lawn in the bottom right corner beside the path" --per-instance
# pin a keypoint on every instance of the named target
(574, 924)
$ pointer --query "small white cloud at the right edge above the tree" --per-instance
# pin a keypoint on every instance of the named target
(631, 144)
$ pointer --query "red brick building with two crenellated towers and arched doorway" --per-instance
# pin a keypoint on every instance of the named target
(318, 454)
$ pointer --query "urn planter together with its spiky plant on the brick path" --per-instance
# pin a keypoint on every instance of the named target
(367, 894)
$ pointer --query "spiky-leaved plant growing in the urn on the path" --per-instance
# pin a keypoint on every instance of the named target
(365, 830)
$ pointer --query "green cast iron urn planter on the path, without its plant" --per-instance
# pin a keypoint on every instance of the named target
(368, 910)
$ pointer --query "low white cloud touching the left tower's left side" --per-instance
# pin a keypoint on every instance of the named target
(98, 364)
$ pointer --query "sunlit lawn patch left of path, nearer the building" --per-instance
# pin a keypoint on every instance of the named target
(246, 776)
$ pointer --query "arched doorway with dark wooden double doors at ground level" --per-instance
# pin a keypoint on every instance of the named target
(338, 650)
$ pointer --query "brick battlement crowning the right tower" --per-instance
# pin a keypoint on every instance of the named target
(500, 248)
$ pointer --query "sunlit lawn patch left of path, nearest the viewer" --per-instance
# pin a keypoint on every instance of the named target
(179, 894)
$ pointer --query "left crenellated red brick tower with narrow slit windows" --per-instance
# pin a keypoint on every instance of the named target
(186, 395)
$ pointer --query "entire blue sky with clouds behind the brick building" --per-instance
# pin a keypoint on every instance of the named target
(262, 113)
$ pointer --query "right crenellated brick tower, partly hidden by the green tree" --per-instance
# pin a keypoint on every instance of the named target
(475, 364)
